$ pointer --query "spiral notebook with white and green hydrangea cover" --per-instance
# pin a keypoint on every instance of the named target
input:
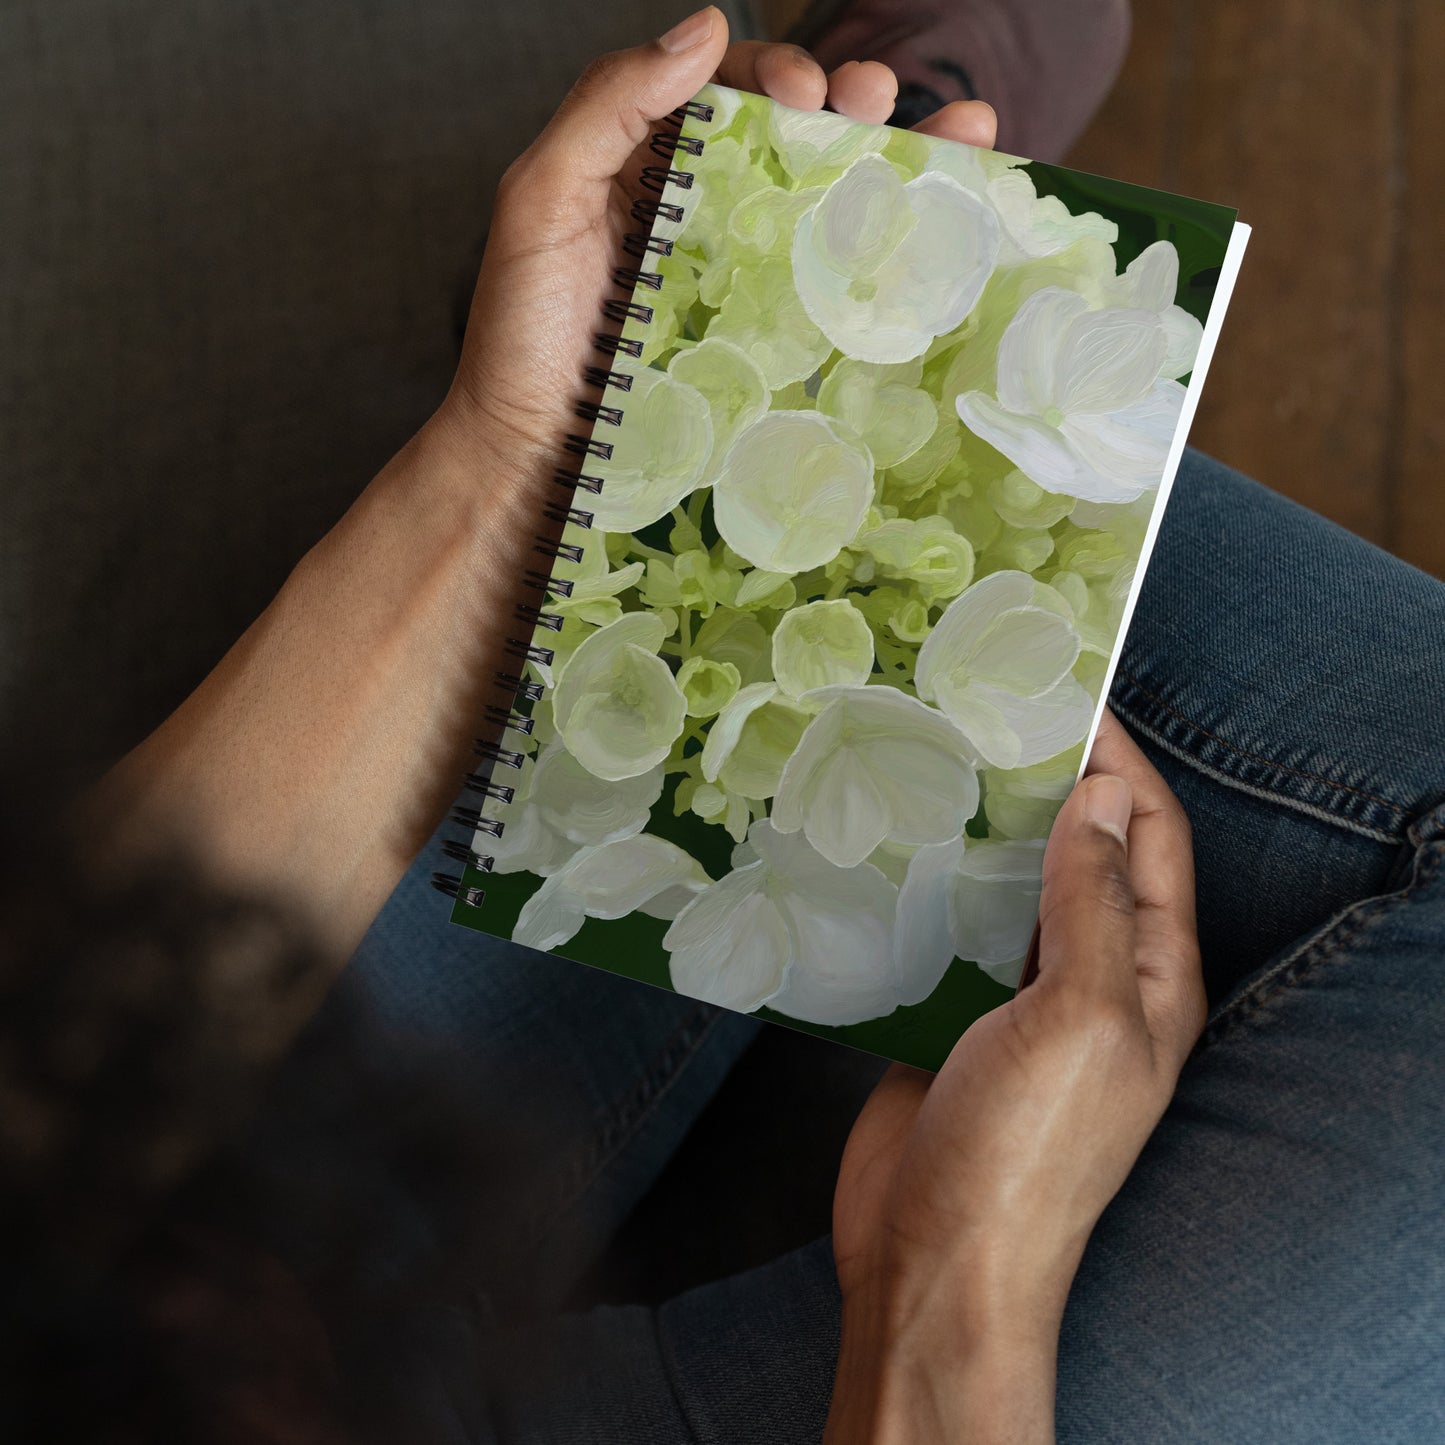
(876, 460)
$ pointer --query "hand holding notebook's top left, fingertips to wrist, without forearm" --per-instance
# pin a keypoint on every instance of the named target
(563, 212)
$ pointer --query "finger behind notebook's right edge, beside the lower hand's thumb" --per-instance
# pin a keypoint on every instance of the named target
(1161, 866)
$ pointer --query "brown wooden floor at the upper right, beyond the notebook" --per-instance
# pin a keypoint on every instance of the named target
(1324, 122)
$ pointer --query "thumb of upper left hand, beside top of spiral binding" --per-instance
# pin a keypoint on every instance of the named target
(612, 109)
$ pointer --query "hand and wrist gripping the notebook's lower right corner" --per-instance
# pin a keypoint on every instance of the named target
(966, 1200)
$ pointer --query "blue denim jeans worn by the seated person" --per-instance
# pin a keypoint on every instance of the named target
(1272, 1271)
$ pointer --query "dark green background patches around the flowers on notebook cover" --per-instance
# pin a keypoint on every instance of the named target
(923, 1034)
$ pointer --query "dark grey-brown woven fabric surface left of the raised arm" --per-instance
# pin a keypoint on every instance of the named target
(236, 245)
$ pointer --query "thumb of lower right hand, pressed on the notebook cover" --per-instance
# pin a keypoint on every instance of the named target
(1087, 907)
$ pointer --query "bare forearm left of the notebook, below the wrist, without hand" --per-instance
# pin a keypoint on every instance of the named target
(317, 758)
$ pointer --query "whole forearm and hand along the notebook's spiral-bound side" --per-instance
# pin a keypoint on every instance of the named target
(352, 703)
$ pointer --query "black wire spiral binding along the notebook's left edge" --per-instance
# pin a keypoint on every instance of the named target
(667, 145)
